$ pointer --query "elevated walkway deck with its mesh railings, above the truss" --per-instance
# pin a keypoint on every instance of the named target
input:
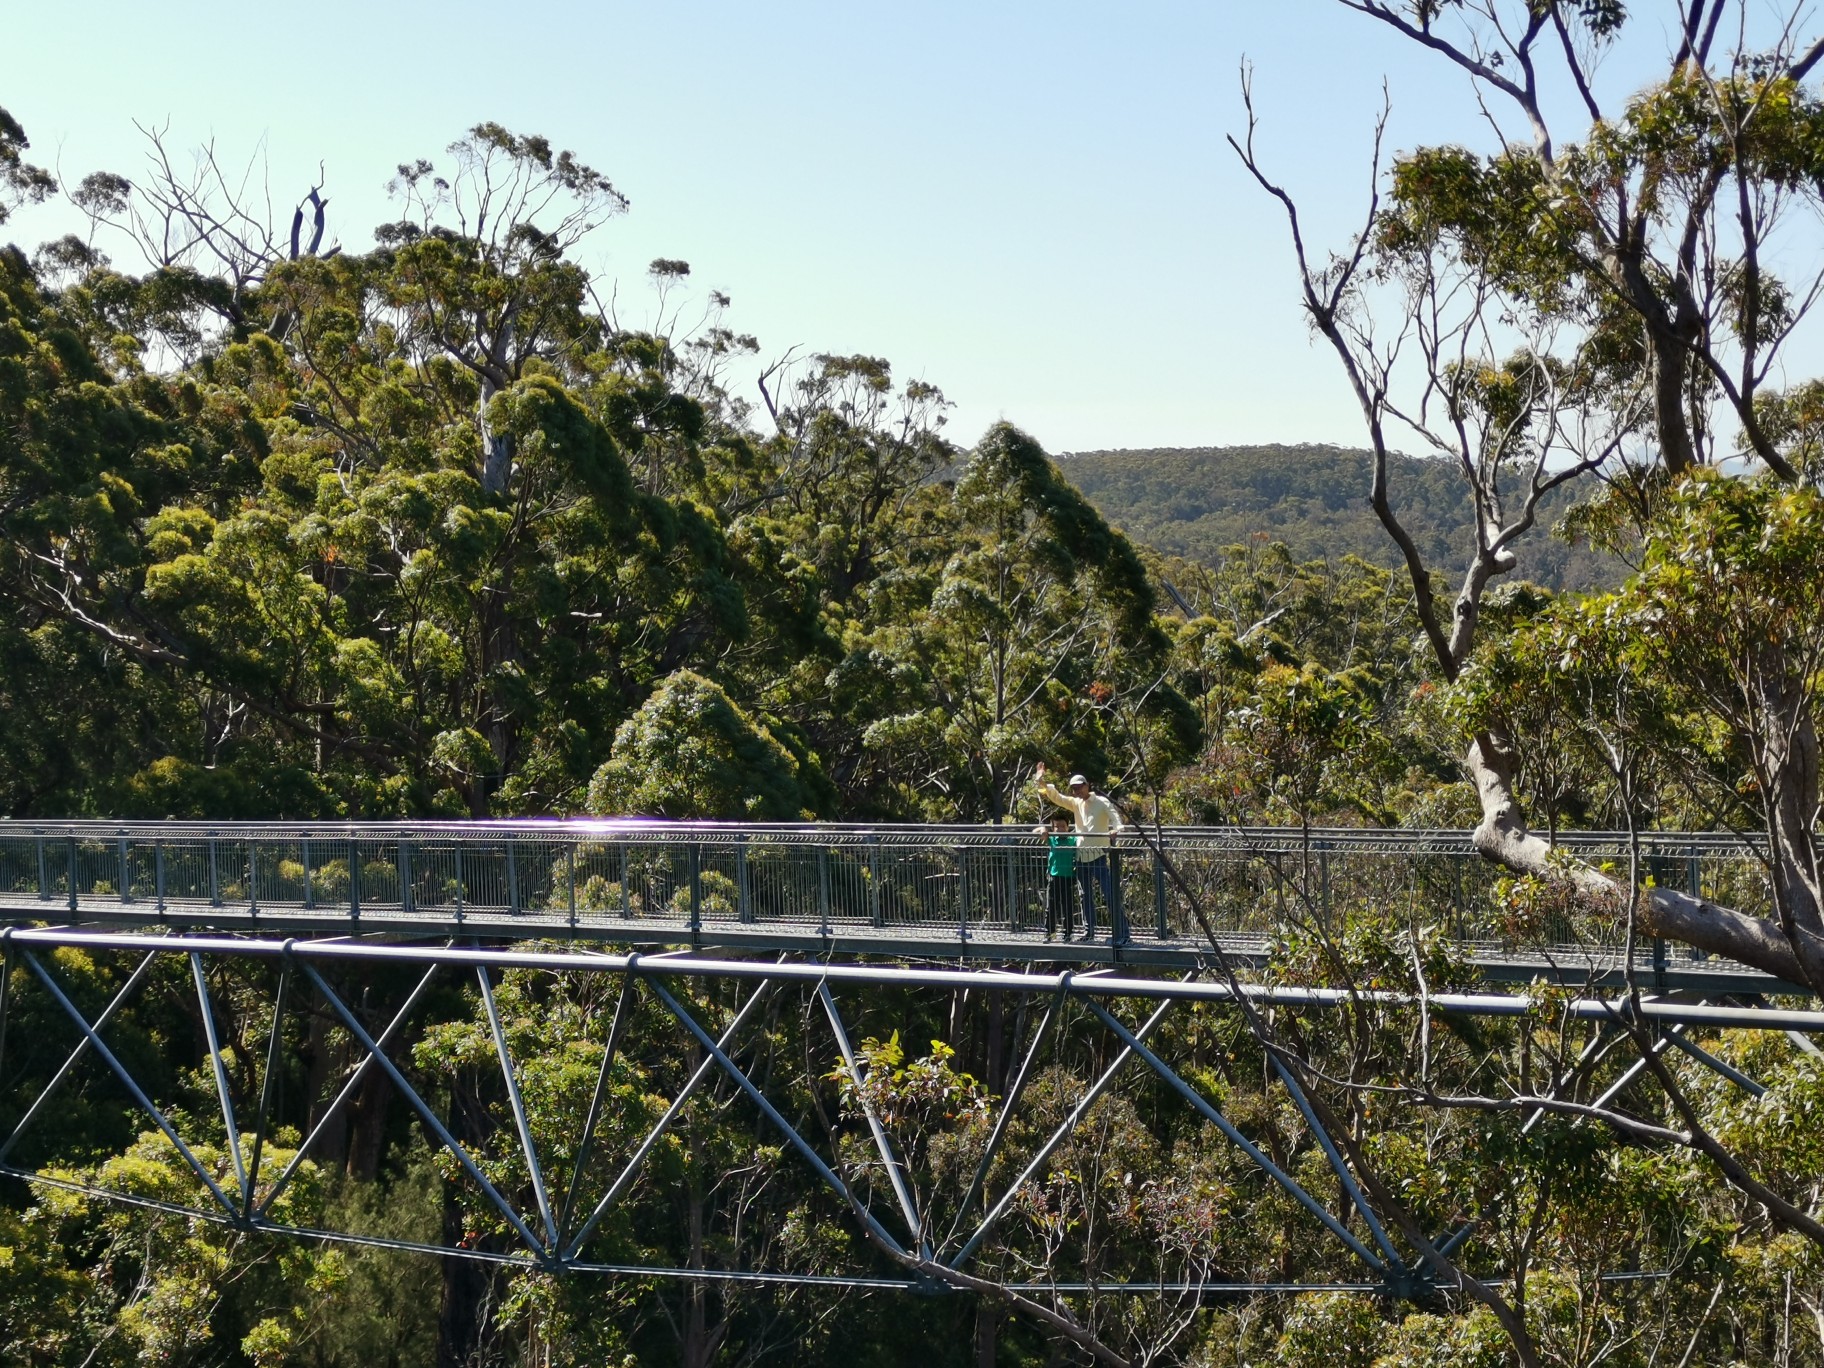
(922, 893)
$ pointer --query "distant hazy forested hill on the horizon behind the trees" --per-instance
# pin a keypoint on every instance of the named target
(1194, 503)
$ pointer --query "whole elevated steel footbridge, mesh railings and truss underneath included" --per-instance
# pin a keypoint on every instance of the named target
(300, 918)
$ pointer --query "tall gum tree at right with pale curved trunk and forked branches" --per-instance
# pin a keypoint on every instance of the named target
(1606, 306)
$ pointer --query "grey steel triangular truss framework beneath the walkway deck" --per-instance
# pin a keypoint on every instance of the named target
(543, 1218)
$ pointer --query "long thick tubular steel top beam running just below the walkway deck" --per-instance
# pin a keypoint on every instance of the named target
(1081, 986)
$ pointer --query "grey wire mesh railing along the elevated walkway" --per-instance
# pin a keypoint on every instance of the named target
(1250, 886)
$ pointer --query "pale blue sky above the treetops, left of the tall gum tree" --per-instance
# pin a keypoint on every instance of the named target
(1028, 205)
